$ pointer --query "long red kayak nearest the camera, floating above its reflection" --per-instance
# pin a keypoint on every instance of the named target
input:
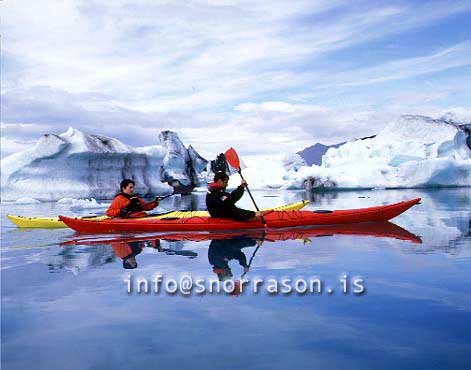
(274, 220)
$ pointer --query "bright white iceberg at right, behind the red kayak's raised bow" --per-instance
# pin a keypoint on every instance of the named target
(410, 152)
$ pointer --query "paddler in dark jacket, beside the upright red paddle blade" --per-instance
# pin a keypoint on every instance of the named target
(222, 204)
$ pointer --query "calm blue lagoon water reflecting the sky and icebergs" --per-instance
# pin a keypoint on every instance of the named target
(66, 307)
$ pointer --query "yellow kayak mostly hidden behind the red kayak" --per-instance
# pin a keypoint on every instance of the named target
(55, 223)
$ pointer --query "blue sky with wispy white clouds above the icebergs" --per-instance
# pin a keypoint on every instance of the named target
(265, 77)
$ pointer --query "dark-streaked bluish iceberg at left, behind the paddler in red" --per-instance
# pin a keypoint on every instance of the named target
(76, 165)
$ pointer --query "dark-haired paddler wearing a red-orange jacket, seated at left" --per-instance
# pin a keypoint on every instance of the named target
(128, 205)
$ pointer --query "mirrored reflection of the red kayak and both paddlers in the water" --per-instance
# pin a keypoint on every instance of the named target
(227, 246)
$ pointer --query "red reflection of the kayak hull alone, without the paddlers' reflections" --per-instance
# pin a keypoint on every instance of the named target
(371, 229)
